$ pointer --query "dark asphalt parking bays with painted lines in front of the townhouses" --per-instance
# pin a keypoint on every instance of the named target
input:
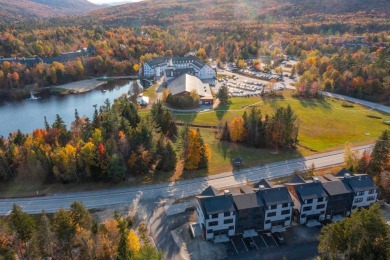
(239, 245)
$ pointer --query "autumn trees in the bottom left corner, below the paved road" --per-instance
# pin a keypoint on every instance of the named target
(72, 234)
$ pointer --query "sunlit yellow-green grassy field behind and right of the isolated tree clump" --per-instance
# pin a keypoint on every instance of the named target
(323, 124)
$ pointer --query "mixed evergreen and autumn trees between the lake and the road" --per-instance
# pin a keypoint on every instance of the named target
(114, 144)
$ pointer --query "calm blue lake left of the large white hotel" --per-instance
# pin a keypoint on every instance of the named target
(28, 115)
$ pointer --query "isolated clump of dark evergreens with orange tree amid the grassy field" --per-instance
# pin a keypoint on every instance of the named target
(277, 131)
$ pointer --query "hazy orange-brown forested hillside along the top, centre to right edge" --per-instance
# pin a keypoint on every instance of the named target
(294, 15)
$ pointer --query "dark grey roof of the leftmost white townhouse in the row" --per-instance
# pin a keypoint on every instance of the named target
(217, 204)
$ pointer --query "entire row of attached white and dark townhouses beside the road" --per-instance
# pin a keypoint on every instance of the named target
(267, 208)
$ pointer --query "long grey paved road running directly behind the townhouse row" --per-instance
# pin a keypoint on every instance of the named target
(103, 198)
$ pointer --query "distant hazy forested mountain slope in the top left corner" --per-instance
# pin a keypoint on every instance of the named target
(17, 9)
